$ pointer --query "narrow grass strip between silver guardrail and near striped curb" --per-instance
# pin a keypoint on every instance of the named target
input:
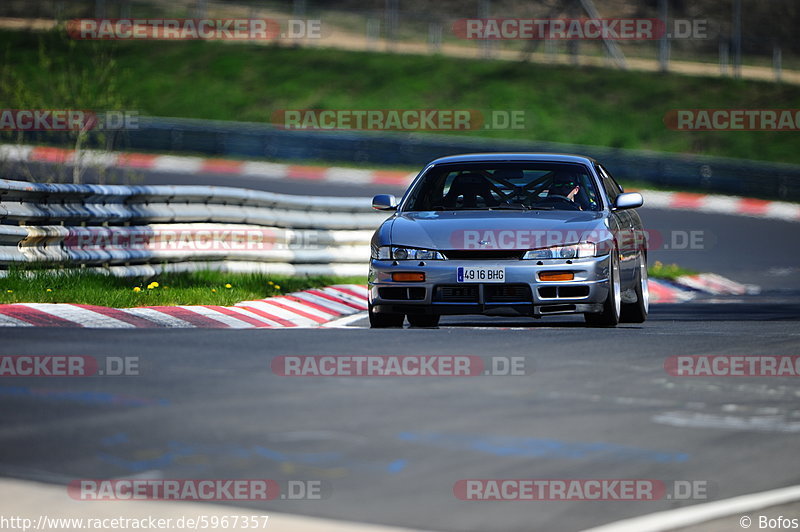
(197, 288)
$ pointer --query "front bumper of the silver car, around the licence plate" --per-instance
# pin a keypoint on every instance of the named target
(521, 293)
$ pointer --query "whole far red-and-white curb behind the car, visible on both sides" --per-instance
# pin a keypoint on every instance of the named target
(705, 203)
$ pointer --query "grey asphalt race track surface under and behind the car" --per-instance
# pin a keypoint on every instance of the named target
(598, 404)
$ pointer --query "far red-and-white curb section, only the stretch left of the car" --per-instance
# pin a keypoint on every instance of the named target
(200, 165)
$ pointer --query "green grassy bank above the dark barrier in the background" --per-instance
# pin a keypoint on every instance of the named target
(594, 106)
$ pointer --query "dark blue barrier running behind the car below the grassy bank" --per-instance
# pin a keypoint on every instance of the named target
(710, 174)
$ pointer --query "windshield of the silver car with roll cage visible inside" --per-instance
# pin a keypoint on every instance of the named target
(500, 186)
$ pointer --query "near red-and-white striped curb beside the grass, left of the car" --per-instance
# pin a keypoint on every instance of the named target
(309, 308)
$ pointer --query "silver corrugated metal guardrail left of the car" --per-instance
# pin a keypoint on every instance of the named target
(141, 230)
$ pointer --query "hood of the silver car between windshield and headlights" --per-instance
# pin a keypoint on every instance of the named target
(496, 229)
